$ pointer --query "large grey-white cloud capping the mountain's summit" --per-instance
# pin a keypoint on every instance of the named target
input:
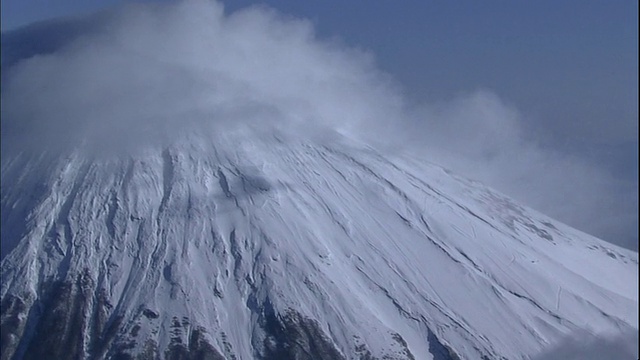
(148, 73)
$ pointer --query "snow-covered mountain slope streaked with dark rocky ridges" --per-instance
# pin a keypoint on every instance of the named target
(269, 246)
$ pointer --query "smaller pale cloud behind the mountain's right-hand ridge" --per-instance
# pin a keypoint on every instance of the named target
(483, 138)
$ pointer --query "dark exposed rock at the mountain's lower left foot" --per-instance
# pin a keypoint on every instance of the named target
(67, 325)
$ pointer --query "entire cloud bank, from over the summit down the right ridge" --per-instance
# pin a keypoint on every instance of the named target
(151, 71)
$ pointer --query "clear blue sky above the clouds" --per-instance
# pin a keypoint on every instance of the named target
(570, 68)
